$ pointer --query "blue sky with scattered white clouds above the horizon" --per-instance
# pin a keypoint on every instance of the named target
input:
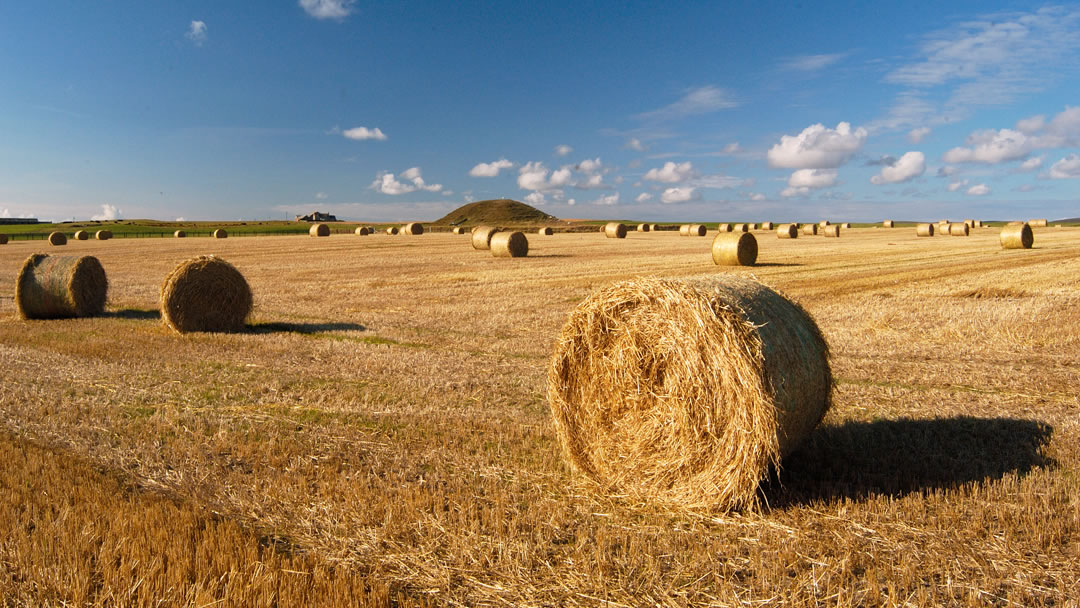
(654, 112)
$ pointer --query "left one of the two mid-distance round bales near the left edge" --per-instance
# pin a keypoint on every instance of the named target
(61, 288)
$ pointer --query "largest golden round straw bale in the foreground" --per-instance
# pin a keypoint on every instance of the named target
(687, 393)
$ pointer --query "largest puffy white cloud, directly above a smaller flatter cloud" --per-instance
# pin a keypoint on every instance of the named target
(818, 147)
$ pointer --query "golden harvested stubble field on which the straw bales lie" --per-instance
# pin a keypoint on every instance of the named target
(381, 436)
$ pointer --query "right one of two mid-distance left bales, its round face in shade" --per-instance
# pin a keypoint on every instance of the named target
(206, 294)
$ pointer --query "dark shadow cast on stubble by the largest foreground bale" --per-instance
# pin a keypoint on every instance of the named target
(858, 461)
